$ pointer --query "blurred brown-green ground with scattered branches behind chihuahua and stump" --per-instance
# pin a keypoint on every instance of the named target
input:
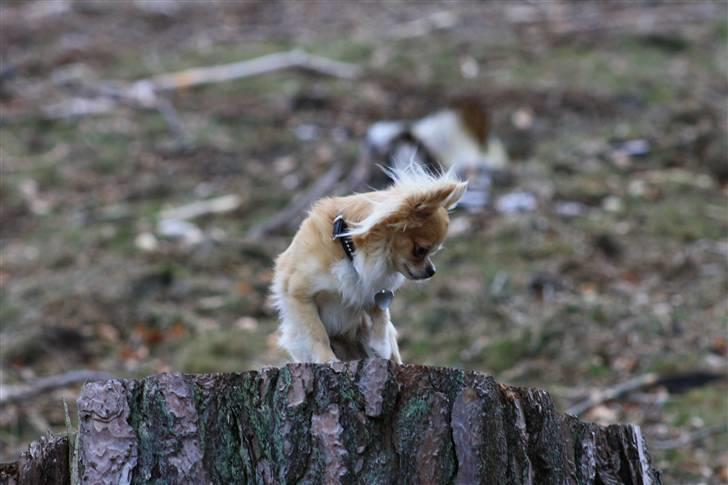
(141, 209)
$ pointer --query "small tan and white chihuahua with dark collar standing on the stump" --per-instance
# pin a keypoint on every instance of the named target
(333, 285)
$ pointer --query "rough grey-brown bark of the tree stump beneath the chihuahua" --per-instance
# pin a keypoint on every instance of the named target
(357, 422)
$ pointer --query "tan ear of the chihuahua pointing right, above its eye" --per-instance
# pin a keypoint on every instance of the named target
(419, 206)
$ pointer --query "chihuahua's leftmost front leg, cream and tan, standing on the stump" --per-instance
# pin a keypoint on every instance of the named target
(303, 333)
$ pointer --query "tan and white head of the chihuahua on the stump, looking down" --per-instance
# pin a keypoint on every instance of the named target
(412, 221)
